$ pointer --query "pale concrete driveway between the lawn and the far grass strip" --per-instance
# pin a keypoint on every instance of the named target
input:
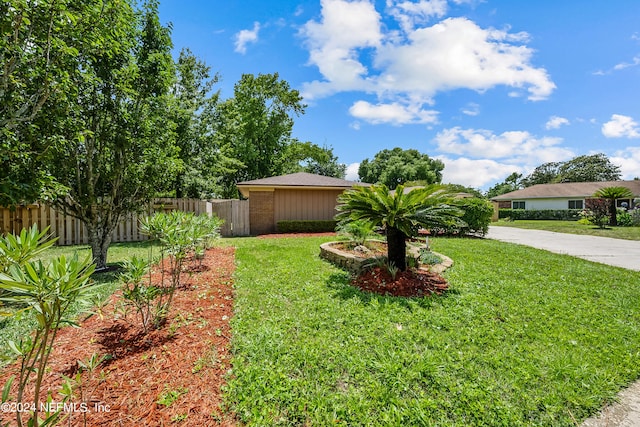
(617, 252)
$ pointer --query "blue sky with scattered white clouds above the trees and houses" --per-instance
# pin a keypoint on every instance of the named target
(489, 87)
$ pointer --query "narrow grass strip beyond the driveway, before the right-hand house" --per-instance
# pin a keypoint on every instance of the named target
(573, 227)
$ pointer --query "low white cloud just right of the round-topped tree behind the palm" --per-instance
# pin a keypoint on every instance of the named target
(475, 173)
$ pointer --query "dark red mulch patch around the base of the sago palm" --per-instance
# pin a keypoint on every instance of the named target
(409, 283)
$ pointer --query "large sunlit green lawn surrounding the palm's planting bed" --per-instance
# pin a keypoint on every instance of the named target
(524, 337)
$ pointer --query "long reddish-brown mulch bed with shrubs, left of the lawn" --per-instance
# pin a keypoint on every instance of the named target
(189, 355)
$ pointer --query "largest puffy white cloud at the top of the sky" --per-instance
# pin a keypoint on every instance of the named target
(354, 51)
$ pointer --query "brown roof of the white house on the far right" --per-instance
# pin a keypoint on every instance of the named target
(567, 190)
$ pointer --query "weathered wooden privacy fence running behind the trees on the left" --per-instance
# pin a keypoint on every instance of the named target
(71, 231)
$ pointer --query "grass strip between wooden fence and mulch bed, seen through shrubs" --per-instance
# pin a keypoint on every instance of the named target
(15, 329)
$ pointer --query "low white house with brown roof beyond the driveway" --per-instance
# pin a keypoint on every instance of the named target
(567, 195)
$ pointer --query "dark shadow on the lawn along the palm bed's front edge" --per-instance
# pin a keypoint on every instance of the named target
(339, 284)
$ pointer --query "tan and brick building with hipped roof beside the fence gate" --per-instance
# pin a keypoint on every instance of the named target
(297, 196)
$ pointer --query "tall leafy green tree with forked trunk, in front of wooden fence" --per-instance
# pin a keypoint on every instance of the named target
(118, 147)
